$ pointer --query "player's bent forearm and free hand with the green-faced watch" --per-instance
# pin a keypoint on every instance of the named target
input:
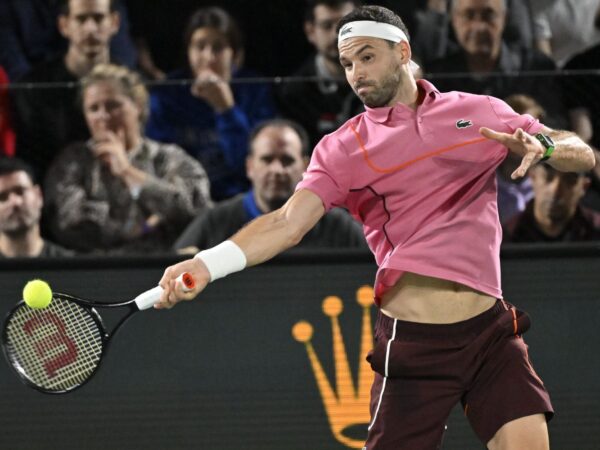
(571, 154)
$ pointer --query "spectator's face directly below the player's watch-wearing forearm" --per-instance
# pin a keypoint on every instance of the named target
(557, 194)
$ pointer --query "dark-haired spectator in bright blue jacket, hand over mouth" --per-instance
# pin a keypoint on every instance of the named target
(212, 119)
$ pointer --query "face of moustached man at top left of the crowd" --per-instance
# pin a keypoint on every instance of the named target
(89, 26)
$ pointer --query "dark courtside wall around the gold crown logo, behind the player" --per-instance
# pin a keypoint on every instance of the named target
(225, 372)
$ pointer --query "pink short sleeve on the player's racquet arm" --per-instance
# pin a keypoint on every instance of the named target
(328, 174)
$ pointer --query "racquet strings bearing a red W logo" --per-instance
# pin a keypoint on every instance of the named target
(56, 348)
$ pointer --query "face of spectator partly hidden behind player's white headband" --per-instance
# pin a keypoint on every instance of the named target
(321, 33)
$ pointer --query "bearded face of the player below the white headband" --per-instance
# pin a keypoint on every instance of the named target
(373, 68)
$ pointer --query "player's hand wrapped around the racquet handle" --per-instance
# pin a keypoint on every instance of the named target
(173, 293)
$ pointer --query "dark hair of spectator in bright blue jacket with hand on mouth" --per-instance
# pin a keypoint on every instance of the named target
(219, 19)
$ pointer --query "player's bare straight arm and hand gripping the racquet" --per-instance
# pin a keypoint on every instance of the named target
(260, 240)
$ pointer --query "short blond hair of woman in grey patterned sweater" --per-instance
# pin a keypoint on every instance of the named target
(128, 81)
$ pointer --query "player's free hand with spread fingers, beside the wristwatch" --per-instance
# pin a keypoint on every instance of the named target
(521, 143)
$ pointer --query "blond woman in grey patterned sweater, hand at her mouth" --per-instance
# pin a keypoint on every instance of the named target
(120, 190)
